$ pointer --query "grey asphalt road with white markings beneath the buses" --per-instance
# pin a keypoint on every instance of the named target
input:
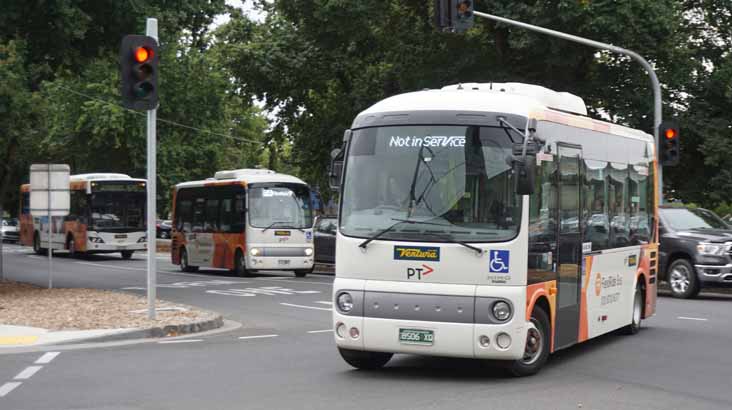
(283, 357)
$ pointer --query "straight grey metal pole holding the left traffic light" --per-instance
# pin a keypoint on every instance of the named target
(151, 30)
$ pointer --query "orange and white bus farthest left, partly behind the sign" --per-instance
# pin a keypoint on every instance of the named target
(107, 215)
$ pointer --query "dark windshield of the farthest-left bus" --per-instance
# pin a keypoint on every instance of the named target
(118, 206)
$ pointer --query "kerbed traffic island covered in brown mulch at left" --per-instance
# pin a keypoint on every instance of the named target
(31, 316)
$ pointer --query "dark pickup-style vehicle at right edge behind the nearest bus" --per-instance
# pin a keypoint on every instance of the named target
(696, 250)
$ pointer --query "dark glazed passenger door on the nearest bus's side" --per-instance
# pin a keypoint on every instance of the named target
(569, 246)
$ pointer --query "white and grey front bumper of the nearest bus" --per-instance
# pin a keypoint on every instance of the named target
(455, 326)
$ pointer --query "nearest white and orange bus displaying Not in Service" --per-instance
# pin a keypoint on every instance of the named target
(490, 221)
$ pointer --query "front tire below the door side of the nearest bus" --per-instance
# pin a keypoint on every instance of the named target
(537, 347)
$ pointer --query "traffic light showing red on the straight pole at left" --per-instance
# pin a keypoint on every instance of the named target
(138, 57)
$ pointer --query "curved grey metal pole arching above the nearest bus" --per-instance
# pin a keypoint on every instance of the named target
(657, 114)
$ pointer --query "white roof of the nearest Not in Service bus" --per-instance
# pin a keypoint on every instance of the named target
(525, 100)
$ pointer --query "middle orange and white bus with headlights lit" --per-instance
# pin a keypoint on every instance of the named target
(244, 220)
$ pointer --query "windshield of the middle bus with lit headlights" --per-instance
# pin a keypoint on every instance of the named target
(285, 206)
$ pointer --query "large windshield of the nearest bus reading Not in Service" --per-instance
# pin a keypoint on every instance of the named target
(455, 181)
